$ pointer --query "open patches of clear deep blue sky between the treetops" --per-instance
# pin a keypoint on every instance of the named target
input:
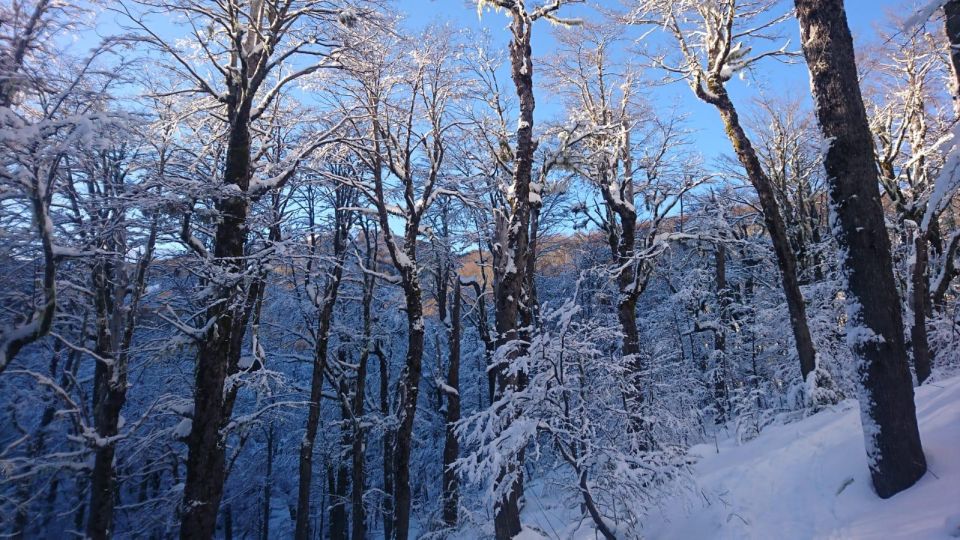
(775, 79)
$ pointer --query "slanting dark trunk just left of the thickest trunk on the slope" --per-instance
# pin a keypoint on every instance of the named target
(786, 258)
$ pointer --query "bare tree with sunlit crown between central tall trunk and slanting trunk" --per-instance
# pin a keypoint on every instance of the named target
(626, 153)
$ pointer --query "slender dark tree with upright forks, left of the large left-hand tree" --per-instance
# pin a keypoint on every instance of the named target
(118, 288)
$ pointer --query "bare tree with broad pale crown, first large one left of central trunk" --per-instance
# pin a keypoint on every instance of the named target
(407, 103)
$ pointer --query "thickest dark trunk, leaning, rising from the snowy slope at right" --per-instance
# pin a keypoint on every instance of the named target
(887, 408)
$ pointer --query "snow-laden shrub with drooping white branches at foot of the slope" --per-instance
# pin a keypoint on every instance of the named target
(571, 413)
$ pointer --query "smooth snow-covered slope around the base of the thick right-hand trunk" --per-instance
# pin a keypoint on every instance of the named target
(805, 480)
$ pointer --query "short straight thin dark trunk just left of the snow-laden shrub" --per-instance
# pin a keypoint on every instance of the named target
(451, 447)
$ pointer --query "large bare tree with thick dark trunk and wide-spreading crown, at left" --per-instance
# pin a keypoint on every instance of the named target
(234, 59)
